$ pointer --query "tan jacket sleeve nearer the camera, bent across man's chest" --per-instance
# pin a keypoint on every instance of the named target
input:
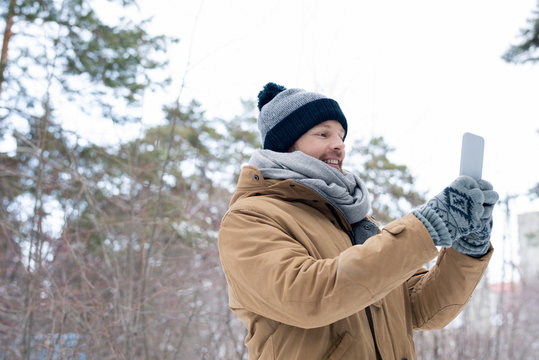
(271, 274)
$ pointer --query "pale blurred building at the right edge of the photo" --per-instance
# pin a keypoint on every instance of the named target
(528, 235)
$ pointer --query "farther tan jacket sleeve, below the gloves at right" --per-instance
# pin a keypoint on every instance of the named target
(439, 295)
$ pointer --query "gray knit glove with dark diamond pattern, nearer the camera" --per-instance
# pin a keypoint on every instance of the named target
(453, 213)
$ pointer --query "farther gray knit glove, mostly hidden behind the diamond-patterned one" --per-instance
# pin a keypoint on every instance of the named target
(477, 243)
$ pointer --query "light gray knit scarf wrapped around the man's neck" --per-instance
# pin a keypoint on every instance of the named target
(345, 190)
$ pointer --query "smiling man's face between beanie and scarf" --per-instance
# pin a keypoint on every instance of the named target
(323, 142)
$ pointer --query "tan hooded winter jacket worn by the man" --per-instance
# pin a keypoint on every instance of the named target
(304, 292)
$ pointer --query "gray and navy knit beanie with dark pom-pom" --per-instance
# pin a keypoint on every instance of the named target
(287, 114)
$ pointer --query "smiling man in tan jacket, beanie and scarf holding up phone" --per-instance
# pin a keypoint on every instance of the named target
(310, 274)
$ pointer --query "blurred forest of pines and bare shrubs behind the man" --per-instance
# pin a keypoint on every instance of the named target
(109, 252)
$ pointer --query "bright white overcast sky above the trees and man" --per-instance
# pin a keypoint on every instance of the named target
(419, 73)
